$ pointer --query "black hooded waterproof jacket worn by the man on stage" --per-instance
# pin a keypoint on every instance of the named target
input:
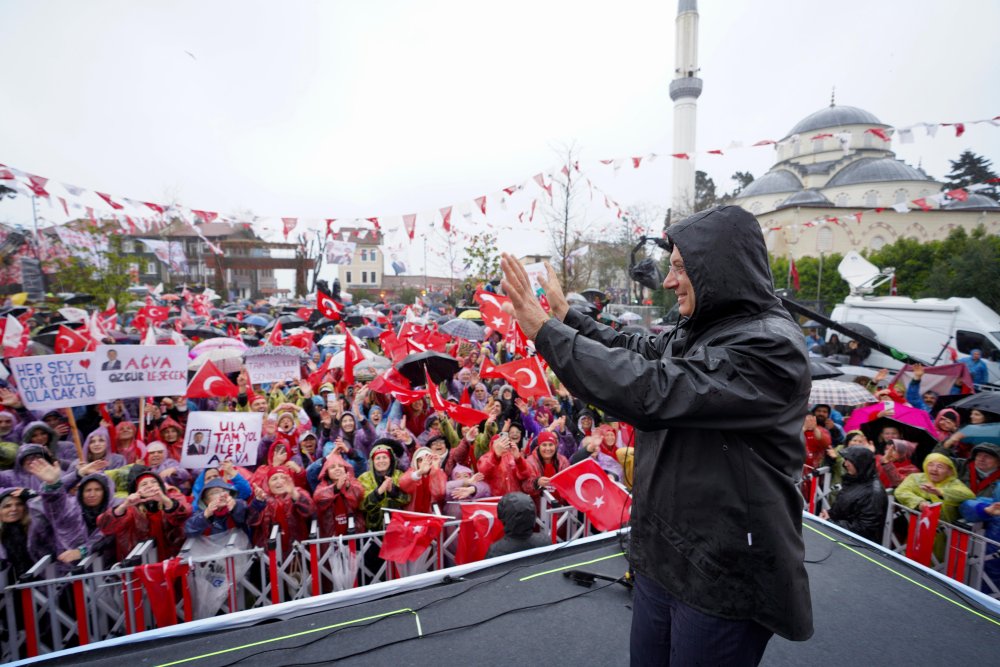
(717, 406)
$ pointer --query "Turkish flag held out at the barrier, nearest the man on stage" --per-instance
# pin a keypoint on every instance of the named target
(588, 488)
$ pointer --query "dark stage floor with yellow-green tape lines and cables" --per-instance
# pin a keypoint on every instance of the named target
(869, 609)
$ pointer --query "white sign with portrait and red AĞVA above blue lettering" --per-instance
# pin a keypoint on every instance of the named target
(127, 371)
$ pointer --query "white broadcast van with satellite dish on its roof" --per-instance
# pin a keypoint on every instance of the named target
(923, 328)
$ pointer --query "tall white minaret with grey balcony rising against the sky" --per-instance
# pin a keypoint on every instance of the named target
(684, 91)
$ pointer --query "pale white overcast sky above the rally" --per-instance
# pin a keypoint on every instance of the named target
(360, 109)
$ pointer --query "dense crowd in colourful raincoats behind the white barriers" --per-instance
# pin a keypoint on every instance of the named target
(340, 453)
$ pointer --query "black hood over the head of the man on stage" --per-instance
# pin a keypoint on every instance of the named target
(725, 257)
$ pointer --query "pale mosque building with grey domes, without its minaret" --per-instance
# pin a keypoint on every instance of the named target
(832, 165)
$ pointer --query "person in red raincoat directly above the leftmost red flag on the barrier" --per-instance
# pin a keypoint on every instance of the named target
(151, 511)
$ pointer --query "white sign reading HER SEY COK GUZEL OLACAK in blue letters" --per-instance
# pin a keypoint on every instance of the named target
(53, 381)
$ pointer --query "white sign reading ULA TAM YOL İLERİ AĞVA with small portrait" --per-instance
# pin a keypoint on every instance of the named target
(214, 437)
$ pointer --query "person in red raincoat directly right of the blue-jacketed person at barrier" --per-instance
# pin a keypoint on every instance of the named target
(280, 503)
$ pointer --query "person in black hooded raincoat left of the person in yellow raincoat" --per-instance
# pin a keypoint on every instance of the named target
(861, 504)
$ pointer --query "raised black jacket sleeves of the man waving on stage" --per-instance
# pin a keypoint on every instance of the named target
(749, 373)
